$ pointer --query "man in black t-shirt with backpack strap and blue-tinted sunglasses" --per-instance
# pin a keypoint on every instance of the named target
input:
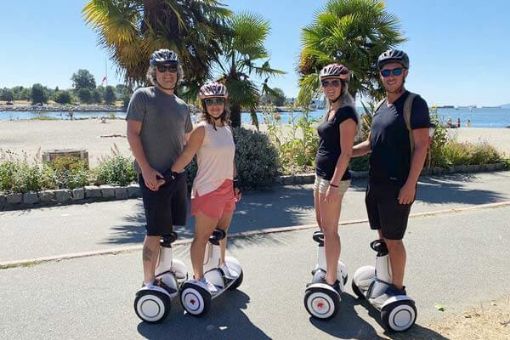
(395, 165)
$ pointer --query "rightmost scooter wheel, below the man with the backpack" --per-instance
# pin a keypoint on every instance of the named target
(399, 316)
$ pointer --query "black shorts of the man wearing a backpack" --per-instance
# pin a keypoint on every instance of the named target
(384, 211)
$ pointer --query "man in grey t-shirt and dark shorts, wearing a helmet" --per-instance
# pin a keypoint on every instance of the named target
(157, 126)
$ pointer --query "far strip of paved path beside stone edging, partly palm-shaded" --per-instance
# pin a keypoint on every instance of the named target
(54, 231)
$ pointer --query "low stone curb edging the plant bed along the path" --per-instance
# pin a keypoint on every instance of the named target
(89, 194)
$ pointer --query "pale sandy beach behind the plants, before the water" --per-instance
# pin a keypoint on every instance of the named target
(99, 139)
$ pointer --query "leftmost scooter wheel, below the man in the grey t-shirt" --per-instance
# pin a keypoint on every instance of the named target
(152, 306)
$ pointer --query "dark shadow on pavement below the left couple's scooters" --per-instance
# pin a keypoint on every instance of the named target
(225, 320)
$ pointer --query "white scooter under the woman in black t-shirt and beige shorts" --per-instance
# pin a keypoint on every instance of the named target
(321, 300)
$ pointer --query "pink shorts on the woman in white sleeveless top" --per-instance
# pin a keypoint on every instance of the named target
(215, 203)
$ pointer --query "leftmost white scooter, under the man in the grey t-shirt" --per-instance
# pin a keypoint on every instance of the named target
(153, 303)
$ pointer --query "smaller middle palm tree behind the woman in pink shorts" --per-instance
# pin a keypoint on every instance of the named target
(241, 53)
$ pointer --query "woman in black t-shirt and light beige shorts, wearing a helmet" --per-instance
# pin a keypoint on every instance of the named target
(336, 137)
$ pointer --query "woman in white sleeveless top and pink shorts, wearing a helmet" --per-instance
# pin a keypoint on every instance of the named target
(215, 191)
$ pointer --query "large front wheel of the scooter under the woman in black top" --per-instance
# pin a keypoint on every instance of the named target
(321, 303)
